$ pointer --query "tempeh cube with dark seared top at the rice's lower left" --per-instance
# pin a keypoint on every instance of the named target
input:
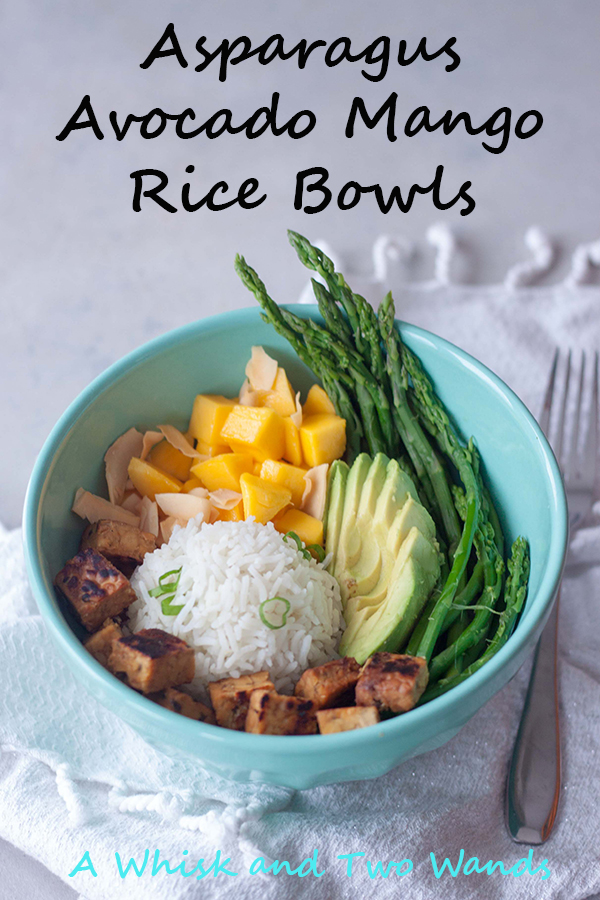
(153, 660)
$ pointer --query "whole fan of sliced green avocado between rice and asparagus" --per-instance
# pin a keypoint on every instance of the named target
(385, 557)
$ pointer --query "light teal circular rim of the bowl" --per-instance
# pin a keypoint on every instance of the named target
(176, 726)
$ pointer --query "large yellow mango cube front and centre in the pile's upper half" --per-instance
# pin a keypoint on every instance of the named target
(255, 430)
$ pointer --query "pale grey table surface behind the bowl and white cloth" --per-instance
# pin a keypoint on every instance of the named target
(84, 279)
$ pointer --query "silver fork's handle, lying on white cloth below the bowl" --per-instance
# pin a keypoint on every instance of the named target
(533, 786)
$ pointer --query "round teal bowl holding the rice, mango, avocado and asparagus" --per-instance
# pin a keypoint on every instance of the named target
(157, 383)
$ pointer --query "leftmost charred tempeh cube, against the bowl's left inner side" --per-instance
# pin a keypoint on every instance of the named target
(95, 588)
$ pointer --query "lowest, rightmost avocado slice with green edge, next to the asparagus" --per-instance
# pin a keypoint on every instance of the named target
(388, 625)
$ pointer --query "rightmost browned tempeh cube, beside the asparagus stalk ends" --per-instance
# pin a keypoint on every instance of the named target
(392, 681)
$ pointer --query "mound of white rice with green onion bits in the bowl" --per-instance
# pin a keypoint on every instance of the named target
(228, 570)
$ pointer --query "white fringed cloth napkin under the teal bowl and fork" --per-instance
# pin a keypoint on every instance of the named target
(74, 777)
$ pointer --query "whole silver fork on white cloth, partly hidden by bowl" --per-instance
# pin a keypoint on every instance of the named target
(534, 778)
